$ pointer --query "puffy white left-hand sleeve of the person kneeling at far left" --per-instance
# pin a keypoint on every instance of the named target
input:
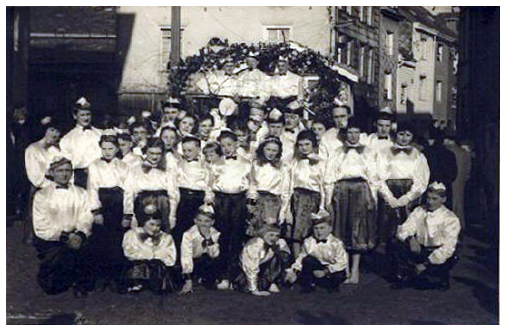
(43, 225)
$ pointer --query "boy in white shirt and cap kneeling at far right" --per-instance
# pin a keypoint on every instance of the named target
(426, 245)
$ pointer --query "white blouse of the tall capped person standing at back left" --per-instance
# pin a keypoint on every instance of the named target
(82, 146)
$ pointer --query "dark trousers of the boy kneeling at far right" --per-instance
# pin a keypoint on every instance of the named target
(406, 260)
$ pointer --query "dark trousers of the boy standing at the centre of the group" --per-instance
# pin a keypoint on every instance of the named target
(230, 215)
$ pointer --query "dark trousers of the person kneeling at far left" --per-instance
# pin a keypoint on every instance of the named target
(62, 267)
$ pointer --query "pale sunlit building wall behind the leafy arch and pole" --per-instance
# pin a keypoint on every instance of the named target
(147, 50)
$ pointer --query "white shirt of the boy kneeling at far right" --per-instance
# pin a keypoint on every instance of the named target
(440, 227)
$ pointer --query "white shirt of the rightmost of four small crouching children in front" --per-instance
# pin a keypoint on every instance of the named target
(330, 253)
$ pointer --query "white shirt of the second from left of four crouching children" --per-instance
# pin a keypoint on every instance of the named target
(191, 247)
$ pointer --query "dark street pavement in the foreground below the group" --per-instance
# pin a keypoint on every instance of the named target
(472, 299)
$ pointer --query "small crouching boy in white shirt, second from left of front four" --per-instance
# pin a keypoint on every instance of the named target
(200, 250)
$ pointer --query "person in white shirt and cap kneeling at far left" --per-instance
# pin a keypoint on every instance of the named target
(62, 221)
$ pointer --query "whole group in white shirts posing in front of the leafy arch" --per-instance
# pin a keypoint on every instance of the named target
(253, 205)
